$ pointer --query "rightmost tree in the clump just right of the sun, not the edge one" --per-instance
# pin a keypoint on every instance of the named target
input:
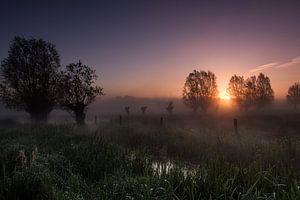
(264, 94)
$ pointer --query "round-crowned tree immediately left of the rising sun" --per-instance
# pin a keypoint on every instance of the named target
(200, 90)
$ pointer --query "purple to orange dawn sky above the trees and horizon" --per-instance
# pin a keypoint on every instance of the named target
(148, 47)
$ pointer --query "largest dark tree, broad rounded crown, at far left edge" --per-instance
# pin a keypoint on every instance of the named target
(29, 77)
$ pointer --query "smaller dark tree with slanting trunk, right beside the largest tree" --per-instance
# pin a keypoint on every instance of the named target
(78, 90)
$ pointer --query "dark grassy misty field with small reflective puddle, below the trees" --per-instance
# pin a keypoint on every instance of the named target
(142, 157)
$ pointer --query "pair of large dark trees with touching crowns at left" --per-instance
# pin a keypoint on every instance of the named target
(31, 79)
